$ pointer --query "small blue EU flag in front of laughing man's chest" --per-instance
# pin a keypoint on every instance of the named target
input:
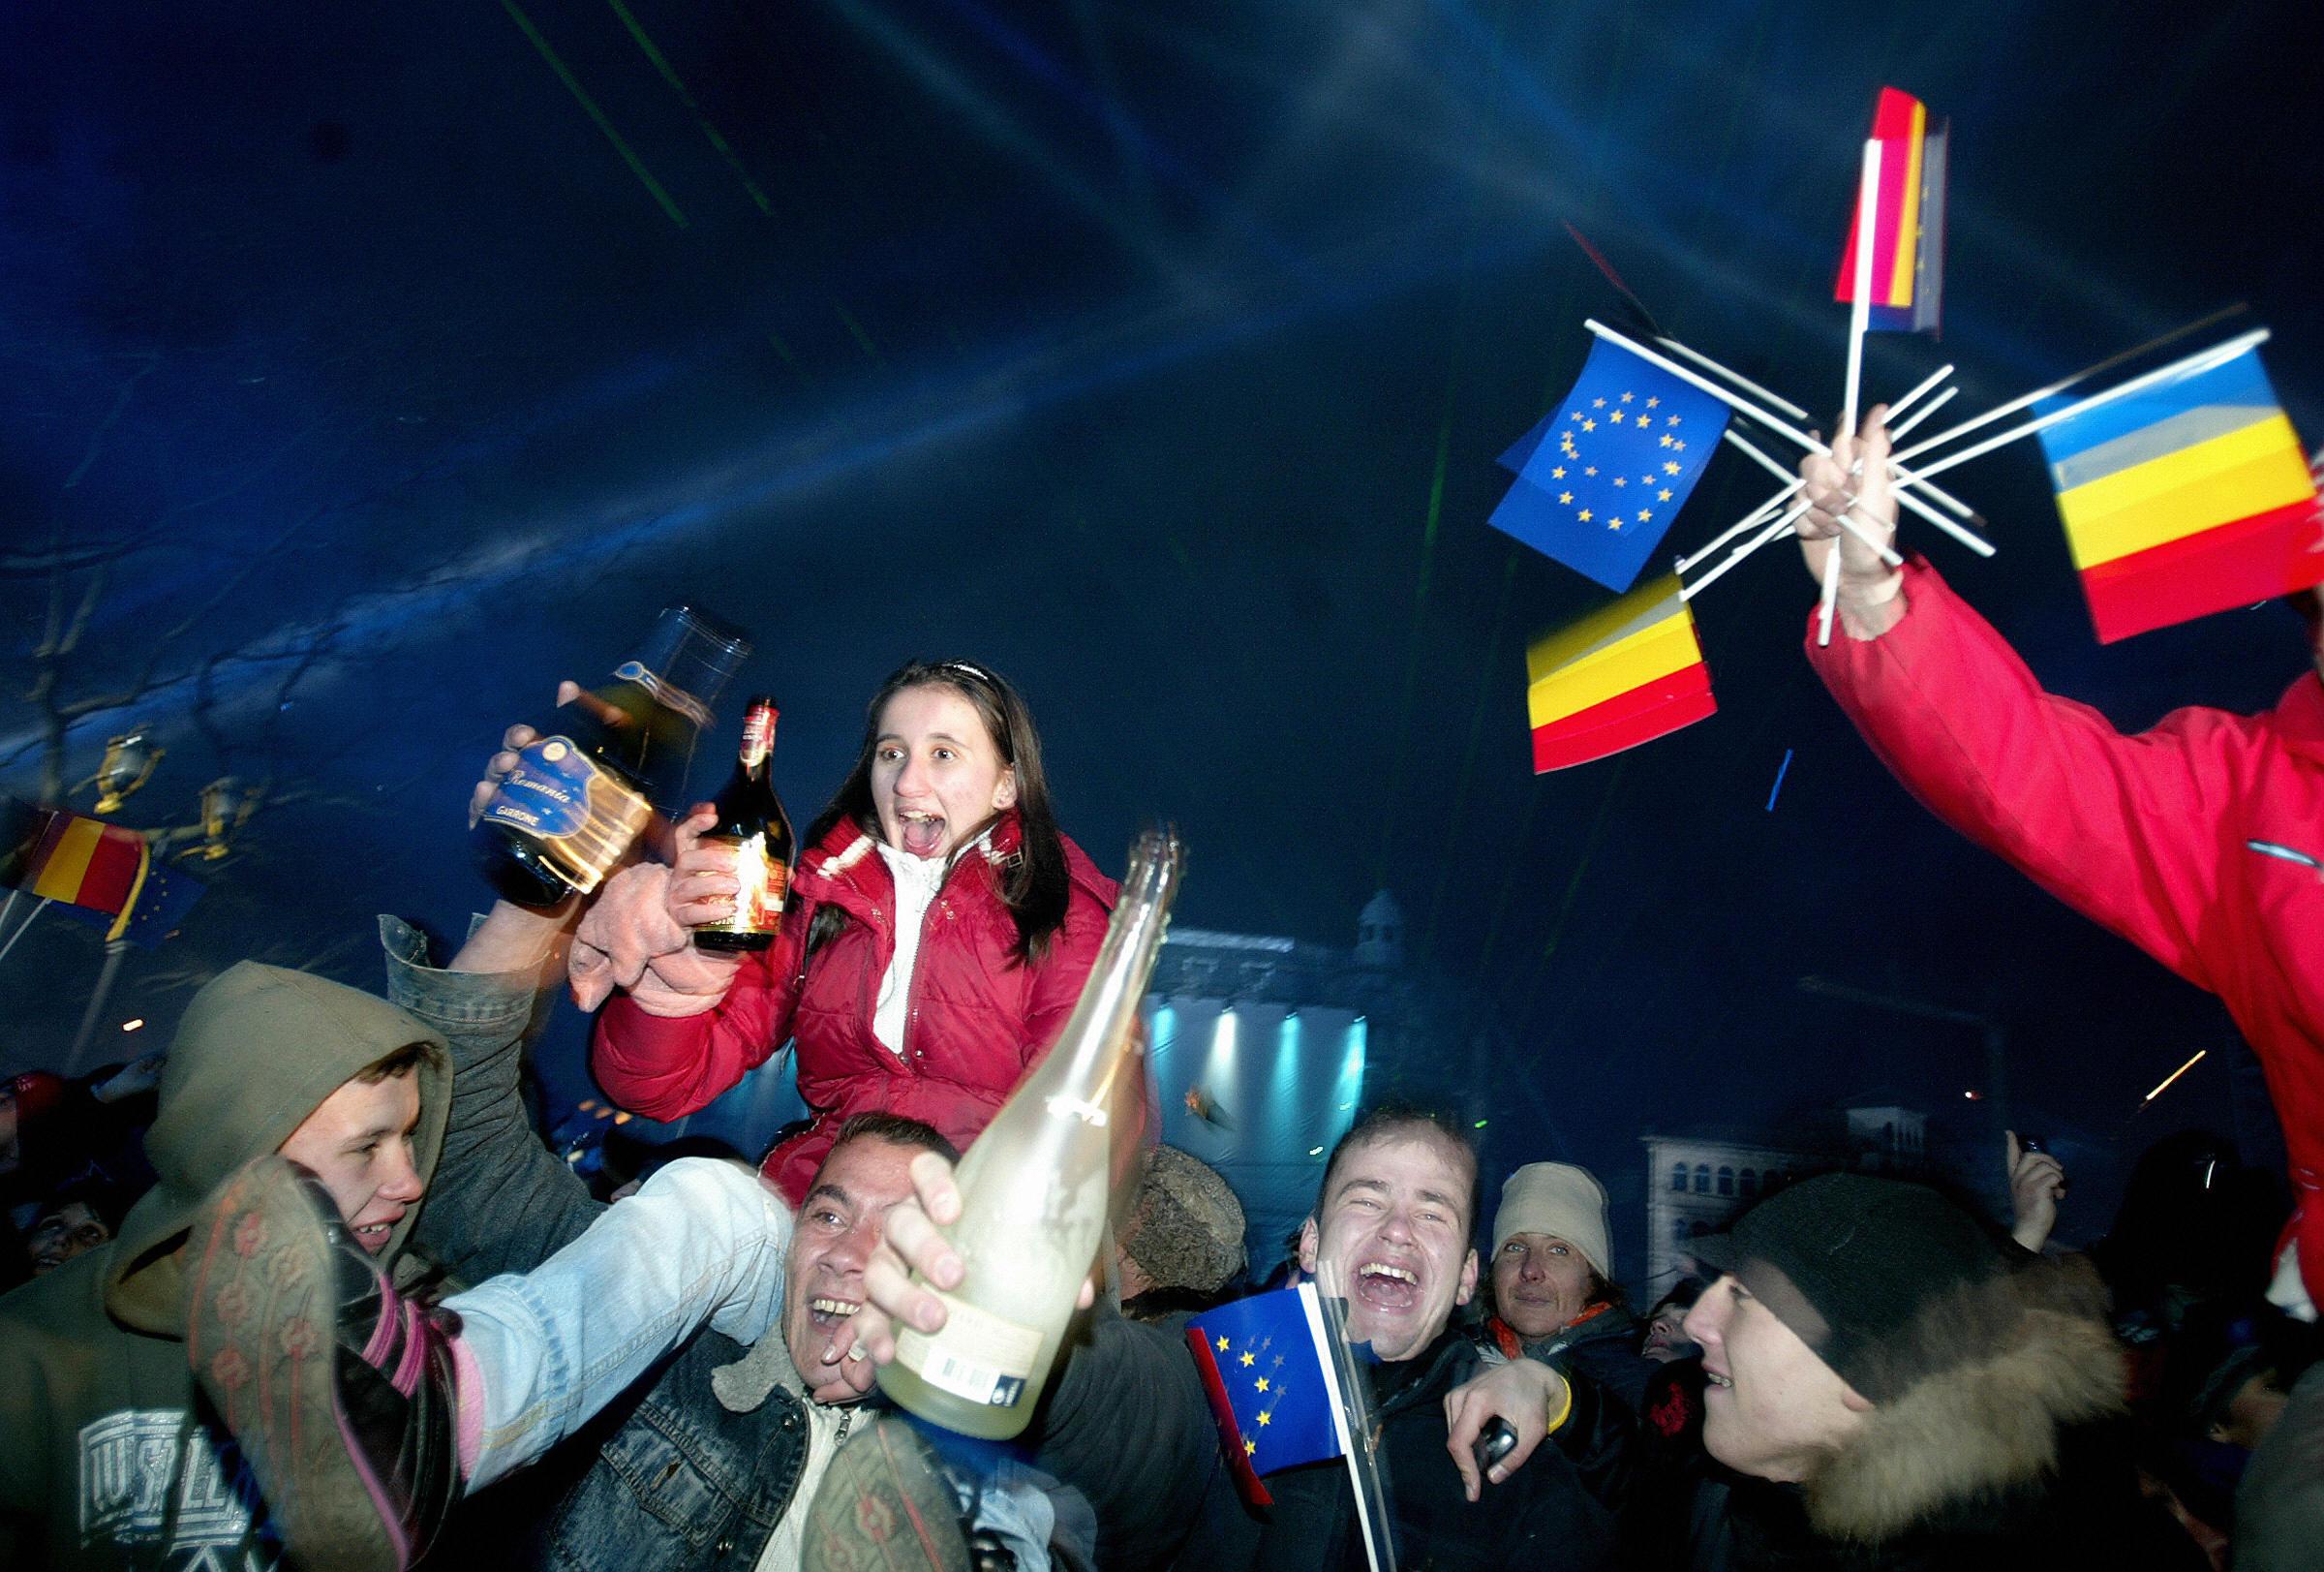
(1272, 1389)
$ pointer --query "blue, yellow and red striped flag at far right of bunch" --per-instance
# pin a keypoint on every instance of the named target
(2186, 499)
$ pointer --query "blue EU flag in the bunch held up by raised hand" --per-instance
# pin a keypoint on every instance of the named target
(1605, 476)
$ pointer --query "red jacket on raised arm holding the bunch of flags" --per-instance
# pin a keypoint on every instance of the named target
(2142, 834)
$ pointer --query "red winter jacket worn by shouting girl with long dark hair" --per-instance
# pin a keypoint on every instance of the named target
(977, 1020)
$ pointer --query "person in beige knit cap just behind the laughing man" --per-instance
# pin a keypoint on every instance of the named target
(1551, 1294)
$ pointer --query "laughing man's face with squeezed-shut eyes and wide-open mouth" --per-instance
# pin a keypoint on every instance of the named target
(1393, 1236)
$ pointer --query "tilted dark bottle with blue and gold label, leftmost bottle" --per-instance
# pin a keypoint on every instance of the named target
(575, 801)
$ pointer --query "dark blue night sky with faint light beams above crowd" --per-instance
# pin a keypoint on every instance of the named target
(378, 366)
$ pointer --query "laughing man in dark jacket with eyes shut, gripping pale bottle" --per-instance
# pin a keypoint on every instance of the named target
(1128, 1422)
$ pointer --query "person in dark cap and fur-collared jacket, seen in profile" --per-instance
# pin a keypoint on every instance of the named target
(1893, 1387)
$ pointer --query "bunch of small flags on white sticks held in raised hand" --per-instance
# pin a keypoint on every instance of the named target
(2183, 492)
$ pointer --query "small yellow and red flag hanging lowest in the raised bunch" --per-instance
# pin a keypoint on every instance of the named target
(1619, 678)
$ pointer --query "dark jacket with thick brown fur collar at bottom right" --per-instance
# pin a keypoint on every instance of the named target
(2007, 1457)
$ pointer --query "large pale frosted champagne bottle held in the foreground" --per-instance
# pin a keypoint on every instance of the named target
(1035, 1187)
